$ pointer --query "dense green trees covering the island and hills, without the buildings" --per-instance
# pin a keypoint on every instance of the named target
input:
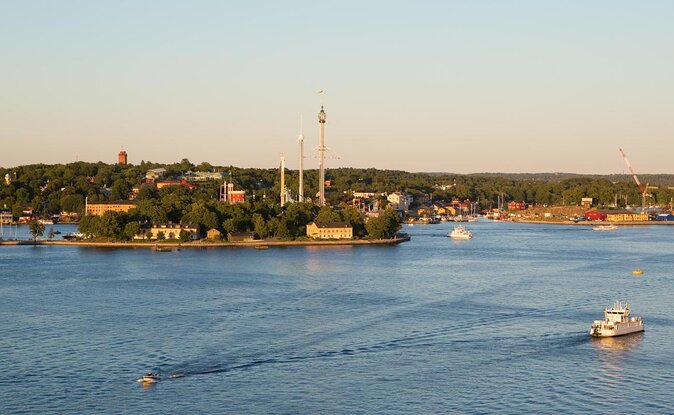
(50, 189)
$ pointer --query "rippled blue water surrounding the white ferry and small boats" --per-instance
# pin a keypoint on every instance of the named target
(497, 324)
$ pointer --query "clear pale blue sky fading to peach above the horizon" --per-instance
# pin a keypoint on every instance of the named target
(428, 86)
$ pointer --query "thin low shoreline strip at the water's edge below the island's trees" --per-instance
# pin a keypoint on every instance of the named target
(259, 244)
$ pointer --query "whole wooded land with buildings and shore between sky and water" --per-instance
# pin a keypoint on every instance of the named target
(184, 204)
